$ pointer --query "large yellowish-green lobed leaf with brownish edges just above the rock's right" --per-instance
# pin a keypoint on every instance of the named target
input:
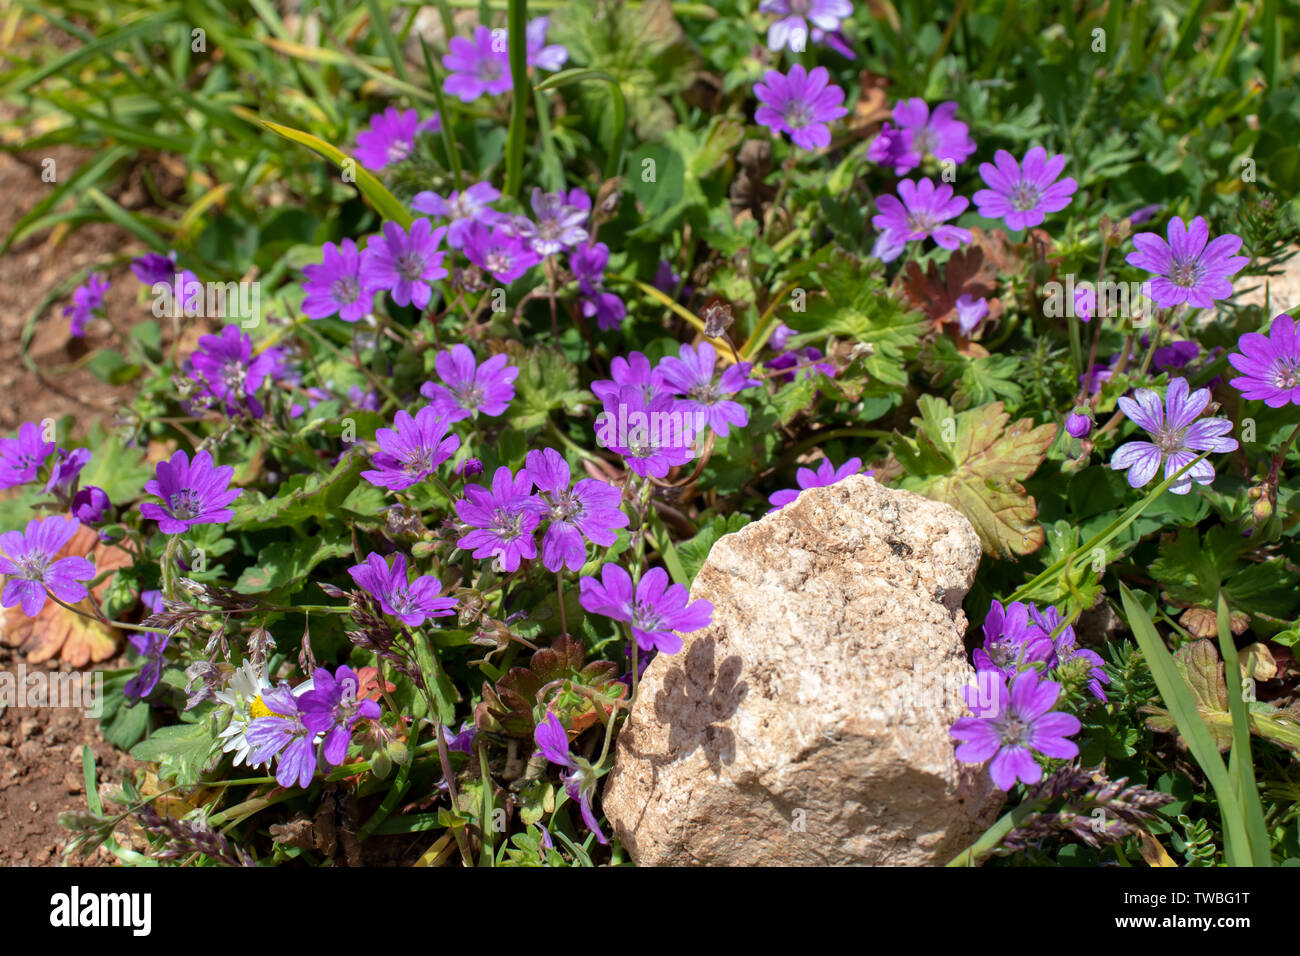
(976, 462)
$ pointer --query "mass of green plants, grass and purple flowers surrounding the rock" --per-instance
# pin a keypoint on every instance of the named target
(462, 334)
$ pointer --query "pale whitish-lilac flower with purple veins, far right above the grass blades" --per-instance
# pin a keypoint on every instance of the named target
(1176, 438)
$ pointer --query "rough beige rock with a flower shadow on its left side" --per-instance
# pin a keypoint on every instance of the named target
(809, 723)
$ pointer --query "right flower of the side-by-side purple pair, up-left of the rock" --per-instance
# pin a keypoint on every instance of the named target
(590, 511)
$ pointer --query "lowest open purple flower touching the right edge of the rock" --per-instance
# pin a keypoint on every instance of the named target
(1022, 721)
